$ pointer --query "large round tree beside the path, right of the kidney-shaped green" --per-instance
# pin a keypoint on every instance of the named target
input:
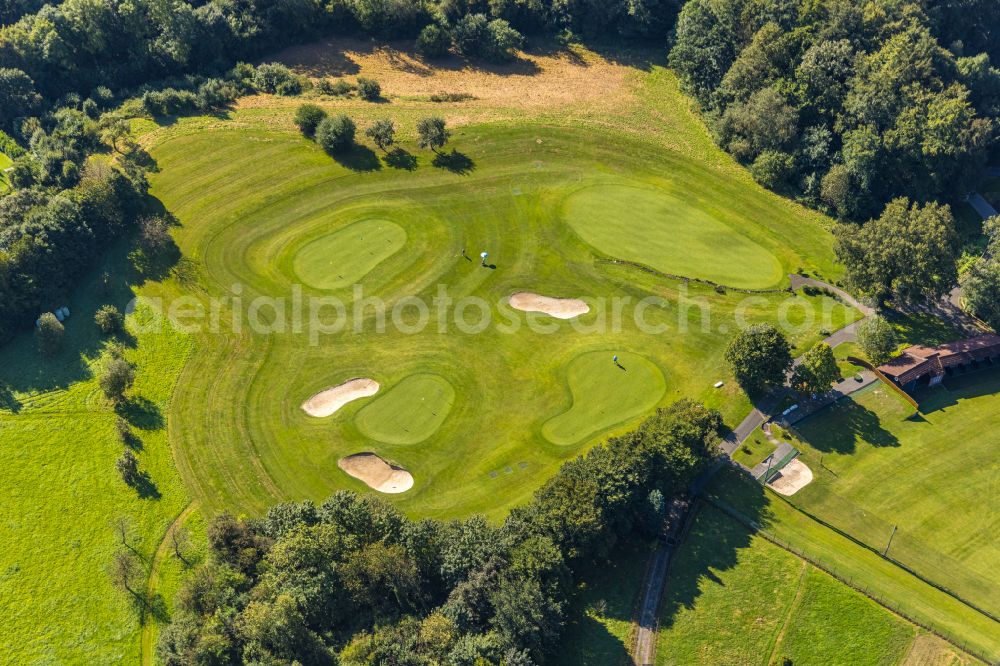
(760, 357)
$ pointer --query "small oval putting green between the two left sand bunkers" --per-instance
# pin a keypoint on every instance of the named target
(409, 412)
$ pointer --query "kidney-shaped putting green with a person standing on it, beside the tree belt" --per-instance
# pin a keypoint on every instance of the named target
(605, 394)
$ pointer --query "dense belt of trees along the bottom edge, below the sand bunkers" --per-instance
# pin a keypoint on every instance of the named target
(354, 582)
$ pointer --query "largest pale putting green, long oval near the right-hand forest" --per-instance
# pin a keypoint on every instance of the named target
(670, 235)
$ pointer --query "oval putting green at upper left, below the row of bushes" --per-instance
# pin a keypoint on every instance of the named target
(344, 257)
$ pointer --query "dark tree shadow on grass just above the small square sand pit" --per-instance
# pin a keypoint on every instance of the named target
(839, 428)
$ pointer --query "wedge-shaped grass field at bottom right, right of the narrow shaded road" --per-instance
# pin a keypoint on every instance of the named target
(734, 598)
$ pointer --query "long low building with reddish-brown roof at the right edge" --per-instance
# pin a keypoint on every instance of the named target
(928, 366)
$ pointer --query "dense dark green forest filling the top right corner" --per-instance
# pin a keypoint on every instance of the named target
(848, 104)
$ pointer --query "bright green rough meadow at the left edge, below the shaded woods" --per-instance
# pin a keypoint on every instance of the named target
(61, 492)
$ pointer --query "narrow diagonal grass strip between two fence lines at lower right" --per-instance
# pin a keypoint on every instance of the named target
(863, 567)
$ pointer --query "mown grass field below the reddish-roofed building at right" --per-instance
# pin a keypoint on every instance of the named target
(926, 474)
